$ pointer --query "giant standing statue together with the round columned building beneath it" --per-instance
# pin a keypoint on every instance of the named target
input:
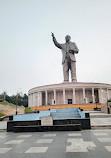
(69, 92)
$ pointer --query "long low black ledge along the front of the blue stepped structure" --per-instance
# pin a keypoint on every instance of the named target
(35, 128)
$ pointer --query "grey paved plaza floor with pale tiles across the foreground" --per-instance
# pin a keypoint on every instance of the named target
(82, 144)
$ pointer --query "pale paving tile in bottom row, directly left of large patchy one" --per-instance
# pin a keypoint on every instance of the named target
(37, 150)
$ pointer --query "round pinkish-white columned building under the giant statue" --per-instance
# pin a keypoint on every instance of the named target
(69, 93)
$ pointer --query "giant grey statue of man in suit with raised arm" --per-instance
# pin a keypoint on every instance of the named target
(69, 49)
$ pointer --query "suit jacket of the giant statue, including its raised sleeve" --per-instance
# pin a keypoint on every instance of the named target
(64, 48)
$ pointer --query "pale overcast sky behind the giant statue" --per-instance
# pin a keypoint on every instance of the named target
(28, 57)
